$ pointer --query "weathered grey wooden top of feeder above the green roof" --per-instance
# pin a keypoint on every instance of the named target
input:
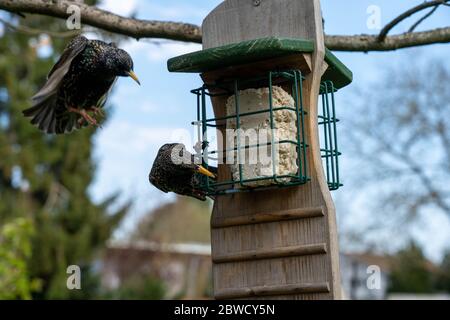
(240, 20)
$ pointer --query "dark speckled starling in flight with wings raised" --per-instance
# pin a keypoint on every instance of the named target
(78, 85)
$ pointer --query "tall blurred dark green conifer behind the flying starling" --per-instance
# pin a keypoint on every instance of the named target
(43, 177)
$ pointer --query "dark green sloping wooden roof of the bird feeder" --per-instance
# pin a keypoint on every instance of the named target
(254, 50)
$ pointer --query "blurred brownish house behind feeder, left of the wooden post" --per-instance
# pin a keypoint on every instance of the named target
(185, 269)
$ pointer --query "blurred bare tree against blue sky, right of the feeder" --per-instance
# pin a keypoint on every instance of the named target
(398, 137)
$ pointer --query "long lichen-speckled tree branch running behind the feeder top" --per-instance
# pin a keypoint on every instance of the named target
(138, 28)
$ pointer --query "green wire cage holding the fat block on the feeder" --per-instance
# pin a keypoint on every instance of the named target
(293, 81)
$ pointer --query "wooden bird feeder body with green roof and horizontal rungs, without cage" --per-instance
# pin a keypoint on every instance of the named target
(280, 243)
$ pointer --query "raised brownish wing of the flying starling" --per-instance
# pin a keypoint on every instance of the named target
(60, 69)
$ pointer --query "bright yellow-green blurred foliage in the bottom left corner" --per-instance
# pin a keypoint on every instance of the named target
(15, 252)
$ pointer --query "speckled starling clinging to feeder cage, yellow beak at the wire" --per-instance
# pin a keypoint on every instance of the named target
(174, 170)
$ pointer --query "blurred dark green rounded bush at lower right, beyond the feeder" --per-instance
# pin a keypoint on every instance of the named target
(411, 272)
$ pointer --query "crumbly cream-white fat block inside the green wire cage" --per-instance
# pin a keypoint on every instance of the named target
(257, 161)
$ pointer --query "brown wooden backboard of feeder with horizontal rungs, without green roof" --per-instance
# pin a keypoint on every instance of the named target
(279, 243)
